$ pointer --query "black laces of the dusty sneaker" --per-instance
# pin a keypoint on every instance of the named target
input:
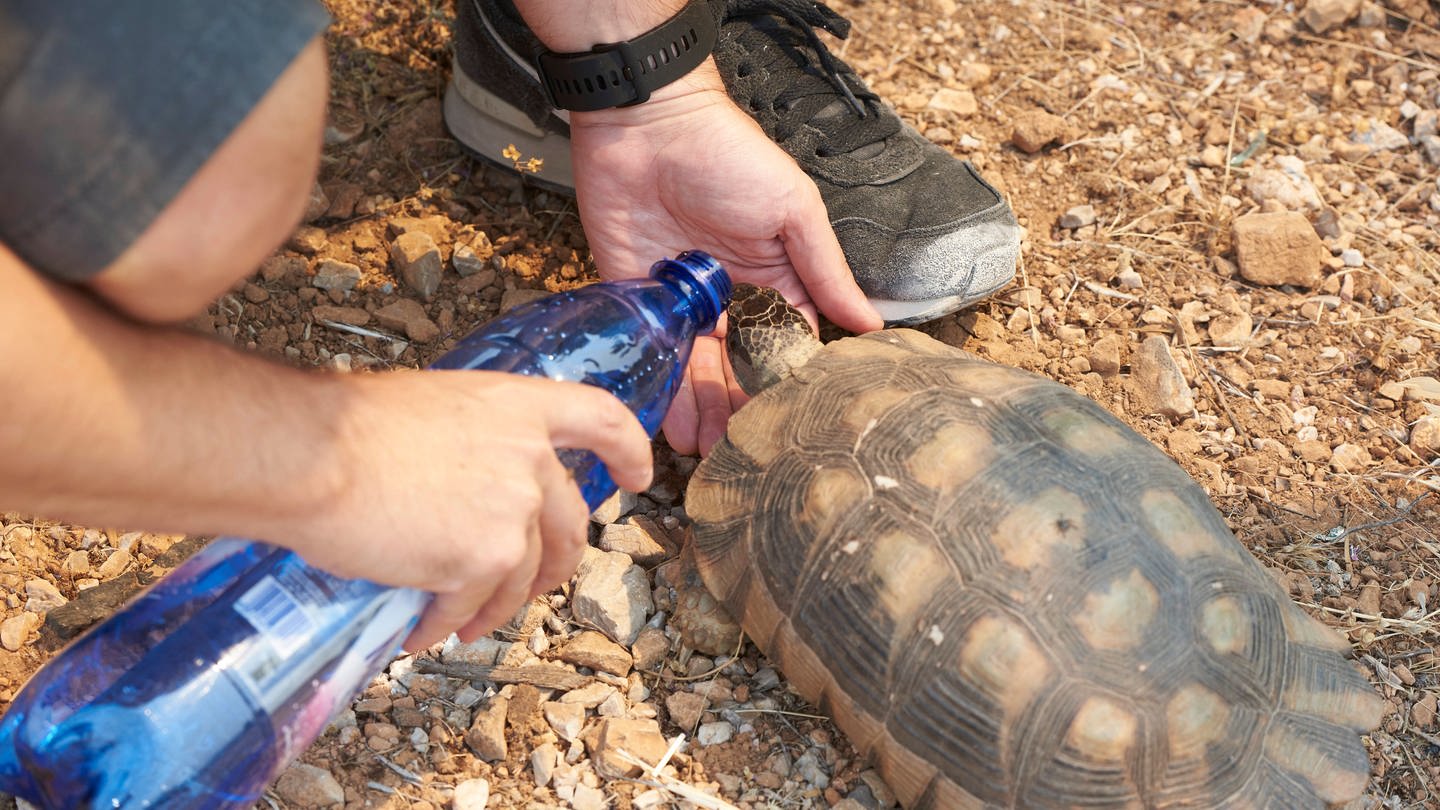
(809, 92)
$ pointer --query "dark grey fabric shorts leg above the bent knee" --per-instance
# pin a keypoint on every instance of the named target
(109, 109)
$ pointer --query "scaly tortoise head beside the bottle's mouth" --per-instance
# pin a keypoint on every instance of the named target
(768, 339)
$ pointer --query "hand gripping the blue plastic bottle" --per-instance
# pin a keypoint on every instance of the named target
(454, 488)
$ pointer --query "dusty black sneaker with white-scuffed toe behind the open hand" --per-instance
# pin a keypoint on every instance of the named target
(924, 233)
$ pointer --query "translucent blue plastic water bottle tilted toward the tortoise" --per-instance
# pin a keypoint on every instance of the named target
(205, 687)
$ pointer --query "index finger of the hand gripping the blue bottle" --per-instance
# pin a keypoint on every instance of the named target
(591, 419)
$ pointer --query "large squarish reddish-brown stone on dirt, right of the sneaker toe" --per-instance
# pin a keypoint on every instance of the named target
(1279, 249)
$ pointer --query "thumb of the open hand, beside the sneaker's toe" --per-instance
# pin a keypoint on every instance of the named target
(820, 263)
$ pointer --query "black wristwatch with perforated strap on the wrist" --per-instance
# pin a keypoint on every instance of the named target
(621, 74)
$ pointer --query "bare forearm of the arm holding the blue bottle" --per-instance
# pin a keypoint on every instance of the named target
(110, 423)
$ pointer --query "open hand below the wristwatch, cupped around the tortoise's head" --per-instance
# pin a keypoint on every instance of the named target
(692, 171)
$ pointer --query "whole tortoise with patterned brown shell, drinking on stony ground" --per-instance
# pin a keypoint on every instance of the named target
(1002, 593)
